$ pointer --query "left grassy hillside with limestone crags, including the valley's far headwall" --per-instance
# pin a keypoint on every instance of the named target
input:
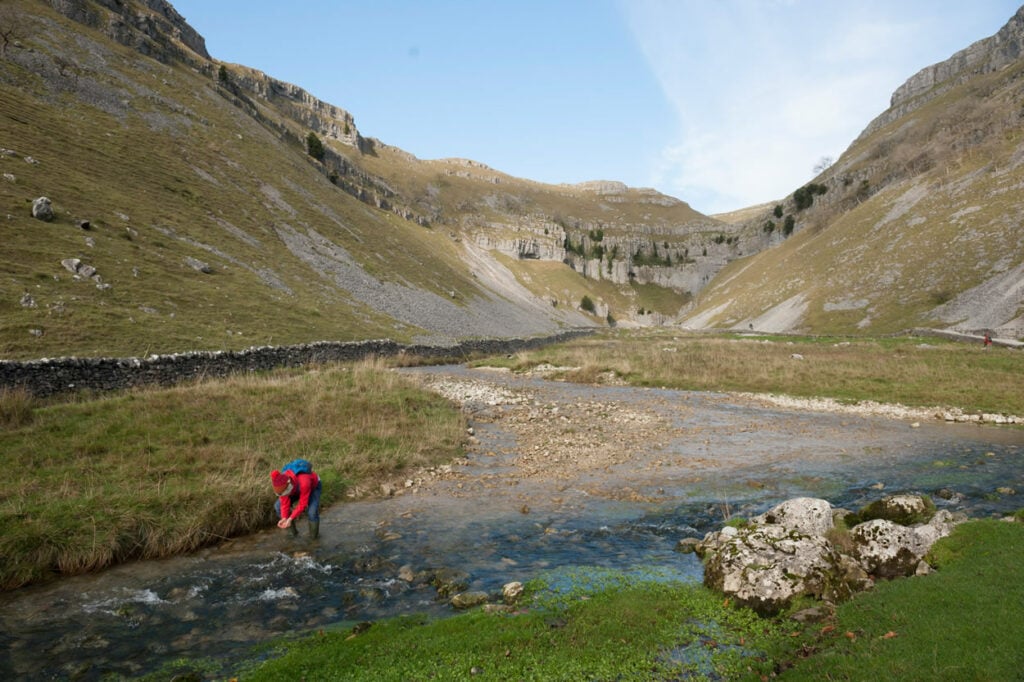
(211, 225)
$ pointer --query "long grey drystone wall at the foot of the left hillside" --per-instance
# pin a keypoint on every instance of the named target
(55, 376)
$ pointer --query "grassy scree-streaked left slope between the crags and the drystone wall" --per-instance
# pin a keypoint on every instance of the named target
(169, 174)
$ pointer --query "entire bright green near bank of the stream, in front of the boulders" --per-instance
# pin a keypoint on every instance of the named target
(961, 623)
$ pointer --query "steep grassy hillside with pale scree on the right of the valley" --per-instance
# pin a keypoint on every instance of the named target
(918, 225)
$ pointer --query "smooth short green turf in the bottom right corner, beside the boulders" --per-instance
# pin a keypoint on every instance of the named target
(961, 623)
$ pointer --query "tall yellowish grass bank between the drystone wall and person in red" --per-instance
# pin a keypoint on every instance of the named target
(157, 473)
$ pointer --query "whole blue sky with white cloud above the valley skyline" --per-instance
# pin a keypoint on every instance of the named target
(723, 104)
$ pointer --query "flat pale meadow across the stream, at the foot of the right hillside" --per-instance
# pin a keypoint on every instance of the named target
(909, 371)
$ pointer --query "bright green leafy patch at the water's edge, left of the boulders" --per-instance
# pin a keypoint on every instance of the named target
(639, 632)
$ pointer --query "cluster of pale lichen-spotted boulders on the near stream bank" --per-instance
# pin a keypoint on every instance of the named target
(796, 550)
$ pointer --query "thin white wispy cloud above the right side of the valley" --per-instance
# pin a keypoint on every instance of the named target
(763, 91)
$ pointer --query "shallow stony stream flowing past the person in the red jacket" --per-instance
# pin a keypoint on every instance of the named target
(486, 526)
